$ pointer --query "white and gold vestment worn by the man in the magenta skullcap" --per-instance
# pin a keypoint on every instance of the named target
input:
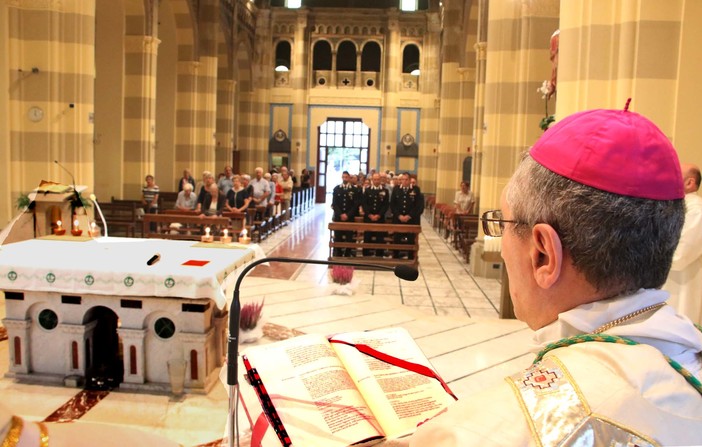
(632, 389)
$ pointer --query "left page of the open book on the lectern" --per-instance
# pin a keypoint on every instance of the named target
(315, 398)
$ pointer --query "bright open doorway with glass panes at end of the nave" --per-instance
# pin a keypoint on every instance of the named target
(343, 146)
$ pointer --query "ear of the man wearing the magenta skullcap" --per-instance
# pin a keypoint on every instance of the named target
(546, 255)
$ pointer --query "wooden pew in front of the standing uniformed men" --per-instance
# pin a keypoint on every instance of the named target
(358, 246)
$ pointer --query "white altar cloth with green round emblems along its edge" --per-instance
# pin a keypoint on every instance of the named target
(118, 266)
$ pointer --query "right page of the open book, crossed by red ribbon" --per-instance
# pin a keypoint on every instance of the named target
(400, 399)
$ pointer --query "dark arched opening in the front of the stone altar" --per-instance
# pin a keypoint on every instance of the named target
(104, 362)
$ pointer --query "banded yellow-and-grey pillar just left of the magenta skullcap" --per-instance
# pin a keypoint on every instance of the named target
(517, 63)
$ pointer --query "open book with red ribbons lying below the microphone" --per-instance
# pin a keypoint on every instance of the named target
(317, 391)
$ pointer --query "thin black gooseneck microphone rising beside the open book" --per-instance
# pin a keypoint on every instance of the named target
(401, 271)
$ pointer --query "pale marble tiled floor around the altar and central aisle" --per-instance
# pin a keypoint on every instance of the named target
(452, 315)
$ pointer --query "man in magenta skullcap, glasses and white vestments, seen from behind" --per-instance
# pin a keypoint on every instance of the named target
(589, 224)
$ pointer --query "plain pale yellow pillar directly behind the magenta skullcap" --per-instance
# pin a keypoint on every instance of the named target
(647, 50)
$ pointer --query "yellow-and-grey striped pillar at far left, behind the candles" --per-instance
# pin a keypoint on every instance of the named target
(48, 62)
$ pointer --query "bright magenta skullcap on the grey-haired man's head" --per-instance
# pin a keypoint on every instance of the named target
(617, 151)
